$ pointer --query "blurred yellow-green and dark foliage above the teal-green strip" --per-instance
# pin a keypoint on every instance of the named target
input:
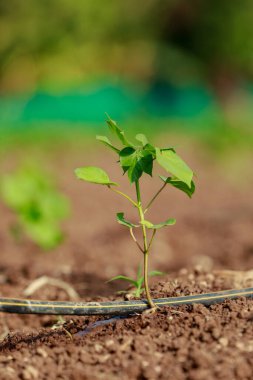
(61, 43)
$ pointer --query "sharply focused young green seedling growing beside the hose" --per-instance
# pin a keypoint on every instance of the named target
(137, 159)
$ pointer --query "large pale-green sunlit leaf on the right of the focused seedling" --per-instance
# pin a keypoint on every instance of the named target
(173, 164)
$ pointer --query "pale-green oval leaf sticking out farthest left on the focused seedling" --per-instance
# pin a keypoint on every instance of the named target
(94, 175)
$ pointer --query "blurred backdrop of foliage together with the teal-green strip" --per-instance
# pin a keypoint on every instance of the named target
(175, 60)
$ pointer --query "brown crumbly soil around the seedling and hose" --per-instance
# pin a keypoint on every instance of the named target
(213, 234)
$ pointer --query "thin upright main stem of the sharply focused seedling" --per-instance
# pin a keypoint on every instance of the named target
(145, 246)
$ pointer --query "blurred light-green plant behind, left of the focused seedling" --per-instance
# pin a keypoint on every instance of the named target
(38, 206)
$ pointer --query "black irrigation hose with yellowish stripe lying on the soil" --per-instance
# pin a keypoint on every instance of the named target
(12, 305)
